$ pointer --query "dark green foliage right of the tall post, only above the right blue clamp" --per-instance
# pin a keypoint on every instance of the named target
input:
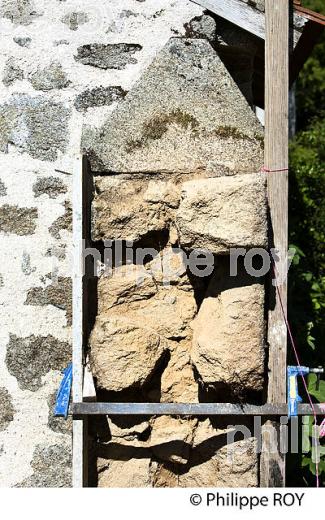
(307, 235)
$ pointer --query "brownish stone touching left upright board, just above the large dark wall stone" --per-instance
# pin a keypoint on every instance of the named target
(58, 293)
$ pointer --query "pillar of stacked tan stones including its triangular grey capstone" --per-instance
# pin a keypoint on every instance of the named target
(177, 171)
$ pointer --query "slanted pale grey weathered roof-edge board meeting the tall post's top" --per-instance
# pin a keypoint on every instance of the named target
(243, 15)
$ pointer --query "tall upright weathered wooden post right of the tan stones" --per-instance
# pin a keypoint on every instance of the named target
(276, 158)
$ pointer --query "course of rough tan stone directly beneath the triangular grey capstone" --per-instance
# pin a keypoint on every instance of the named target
(214, 214)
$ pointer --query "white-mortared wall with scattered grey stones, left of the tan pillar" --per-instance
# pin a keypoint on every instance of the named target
(63, 63)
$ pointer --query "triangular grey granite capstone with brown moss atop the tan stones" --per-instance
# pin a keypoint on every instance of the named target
(185, 115)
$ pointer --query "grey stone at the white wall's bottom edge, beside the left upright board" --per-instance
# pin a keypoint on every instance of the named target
(52, 467)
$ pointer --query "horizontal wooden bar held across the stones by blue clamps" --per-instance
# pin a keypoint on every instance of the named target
(196, 409)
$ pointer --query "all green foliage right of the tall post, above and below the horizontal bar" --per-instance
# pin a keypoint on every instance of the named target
(307, 235)
